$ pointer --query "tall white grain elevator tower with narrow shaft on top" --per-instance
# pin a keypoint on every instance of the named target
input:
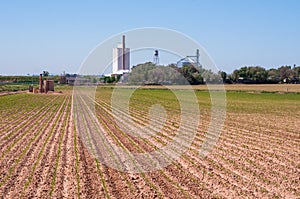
(121, 58)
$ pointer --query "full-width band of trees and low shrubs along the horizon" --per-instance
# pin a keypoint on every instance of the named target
(149, 73)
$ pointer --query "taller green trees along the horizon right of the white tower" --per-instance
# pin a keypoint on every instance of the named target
(149, 73)
